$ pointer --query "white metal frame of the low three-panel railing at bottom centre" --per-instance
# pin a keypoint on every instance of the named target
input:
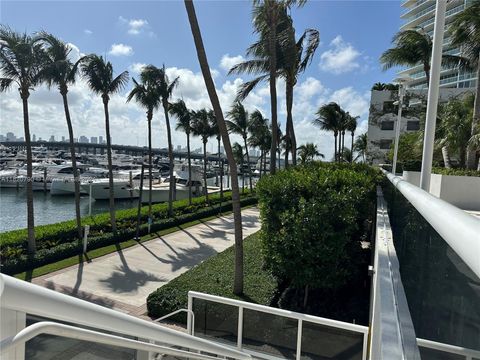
(301, 319)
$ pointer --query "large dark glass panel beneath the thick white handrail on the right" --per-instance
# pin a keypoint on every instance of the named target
(443, 294)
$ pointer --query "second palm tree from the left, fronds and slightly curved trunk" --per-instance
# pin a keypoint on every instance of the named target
(61, 71)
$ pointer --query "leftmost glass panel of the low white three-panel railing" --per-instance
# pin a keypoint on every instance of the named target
(216, 320)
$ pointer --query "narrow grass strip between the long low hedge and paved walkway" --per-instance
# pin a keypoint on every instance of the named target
(92, 254)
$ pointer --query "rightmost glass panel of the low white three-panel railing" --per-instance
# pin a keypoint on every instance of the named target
(324, 342)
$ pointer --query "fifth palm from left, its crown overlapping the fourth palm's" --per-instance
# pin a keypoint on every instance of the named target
(166, 88)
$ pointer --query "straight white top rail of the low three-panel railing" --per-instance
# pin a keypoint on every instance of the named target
(280, 312)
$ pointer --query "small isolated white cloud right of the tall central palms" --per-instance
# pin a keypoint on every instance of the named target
(340, 58)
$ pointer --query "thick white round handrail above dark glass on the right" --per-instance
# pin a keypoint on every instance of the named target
(460, 230)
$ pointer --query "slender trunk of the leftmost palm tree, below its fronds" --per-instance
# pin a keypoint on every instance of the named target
(30, 219)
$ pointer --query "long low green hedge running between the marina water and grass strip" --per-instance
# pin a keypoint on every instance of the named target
(58, 241)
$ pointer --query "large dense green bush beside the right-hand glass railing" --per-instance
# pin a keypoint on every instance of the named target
(313, 218)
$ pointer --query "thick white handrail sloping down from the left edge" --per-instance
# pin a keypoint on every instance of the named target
(33, 299)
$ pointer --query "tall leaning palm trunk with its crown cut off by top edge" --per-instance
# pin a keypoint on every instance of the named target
(212, 93)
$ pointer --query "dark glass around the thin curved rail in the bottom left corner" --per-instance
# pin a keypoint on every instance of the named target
(50, 347)
